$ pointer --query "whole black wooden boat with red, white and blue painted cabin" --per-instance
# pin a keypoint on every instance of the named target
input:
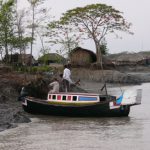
(83, 104)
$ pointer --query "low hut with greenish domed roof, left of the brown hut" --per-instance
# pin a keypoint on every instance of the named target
(52, 58)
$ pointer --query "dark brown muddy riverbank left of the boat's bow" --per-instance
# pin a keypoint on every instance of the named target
(11, 111)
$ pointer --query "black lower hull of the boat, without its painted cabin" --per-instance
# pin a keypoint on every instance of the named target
(97, 109)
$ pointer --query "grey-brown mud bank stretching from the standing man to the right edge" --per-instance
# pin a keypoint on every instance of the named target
(112, 76)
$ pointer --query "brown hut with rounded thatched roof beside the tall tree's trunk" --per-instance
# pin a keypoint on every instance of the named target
(80, 57)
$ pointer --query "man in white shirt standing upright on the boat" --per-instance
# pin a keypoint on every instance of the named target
(66, 78)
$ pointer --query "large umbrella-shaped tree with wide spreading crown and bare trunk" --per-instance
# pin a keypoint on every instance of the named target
(95, 21)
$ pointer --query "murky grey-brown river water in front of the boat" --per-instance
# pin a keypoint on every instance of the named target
(62, 133)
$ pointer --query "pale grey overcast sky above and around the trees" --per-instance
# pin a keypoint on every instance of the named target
(135, 11)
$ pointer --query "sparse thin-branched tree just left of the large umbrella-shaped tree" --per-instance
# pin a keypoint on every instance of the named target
(63, 35)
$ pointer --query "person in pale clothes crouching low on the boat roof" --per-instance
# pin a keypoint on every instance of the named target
(55, 86)
